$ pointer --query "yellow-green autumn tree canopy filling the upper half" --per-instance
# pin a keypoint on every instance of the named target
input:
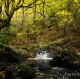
(33, 18)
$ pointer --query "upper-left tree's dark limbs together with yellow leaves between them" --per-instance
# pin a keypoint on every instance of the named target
(7, 9)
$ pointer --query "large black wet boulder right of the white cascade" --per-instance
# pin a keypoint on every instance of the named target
(67, 59)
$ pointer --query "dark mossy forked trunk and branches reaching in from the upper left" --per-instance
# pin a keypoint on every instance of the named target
(6, 22)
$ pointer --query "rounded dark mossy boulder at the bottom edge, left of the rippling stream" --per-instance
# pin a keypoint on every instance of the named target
(25, 72)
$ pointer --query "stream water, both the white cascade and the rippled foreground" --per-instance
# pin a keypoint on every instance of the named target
(54, 72)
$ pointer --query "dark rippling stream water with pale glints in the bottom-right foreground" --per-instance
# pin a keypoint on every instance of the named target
(57, 73)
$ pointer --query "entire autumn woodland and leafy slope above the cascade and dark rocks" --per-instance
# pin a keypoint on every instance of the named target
(29, 25)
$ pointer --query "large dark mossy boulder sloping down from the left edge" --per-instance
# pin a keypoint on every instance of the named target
(9, 55)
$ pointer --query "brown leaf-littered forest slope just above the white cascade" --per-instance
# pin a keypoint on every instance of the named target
(51, 39)
